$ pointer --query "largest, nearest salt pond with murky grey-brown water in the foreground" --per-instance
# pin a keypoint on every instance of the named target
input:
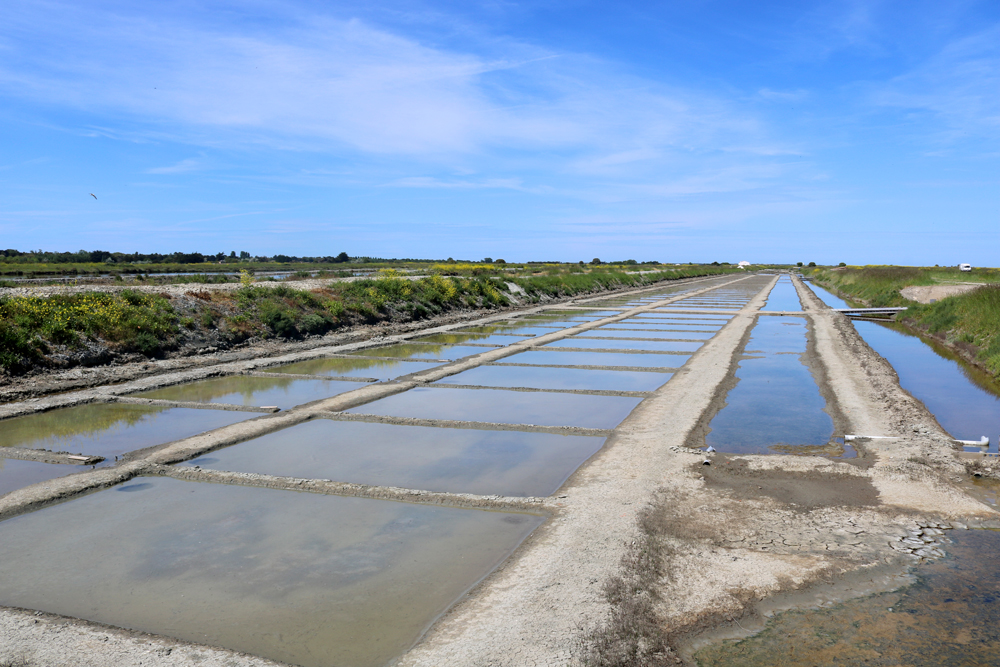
(301, 578)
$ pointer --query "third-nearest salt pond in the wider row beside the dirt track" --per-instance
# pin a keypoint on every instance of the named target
(505, 407)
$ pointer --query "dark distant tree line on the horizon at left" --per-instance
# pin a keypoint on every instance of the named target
(106, 257)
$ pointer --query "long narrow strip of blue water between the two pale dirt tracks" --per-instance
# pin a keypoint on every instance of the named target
(776, 401)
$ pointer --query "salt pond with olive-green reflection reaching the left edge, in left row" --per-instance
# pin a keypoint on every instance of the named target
(111, 429)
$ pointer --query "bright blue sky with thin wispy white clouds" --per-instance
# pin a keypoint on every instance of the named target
(858, 132)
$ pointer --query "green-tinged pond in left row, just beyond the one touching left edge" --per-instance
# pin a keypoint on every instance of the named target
(252, 390)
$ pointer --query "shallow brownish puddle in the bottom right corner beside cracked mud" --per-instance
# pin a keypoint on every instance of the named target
(949, 616)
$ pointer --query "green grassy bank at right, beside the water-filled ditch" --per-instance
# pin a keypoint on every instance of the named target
(969, 321)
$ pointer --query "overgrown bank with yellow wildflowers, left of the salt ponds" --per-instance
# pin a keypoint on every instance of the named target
(92, 327)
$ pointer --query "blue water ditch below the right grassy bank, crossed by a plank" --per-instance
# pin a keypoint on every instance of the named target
(964, 400)
